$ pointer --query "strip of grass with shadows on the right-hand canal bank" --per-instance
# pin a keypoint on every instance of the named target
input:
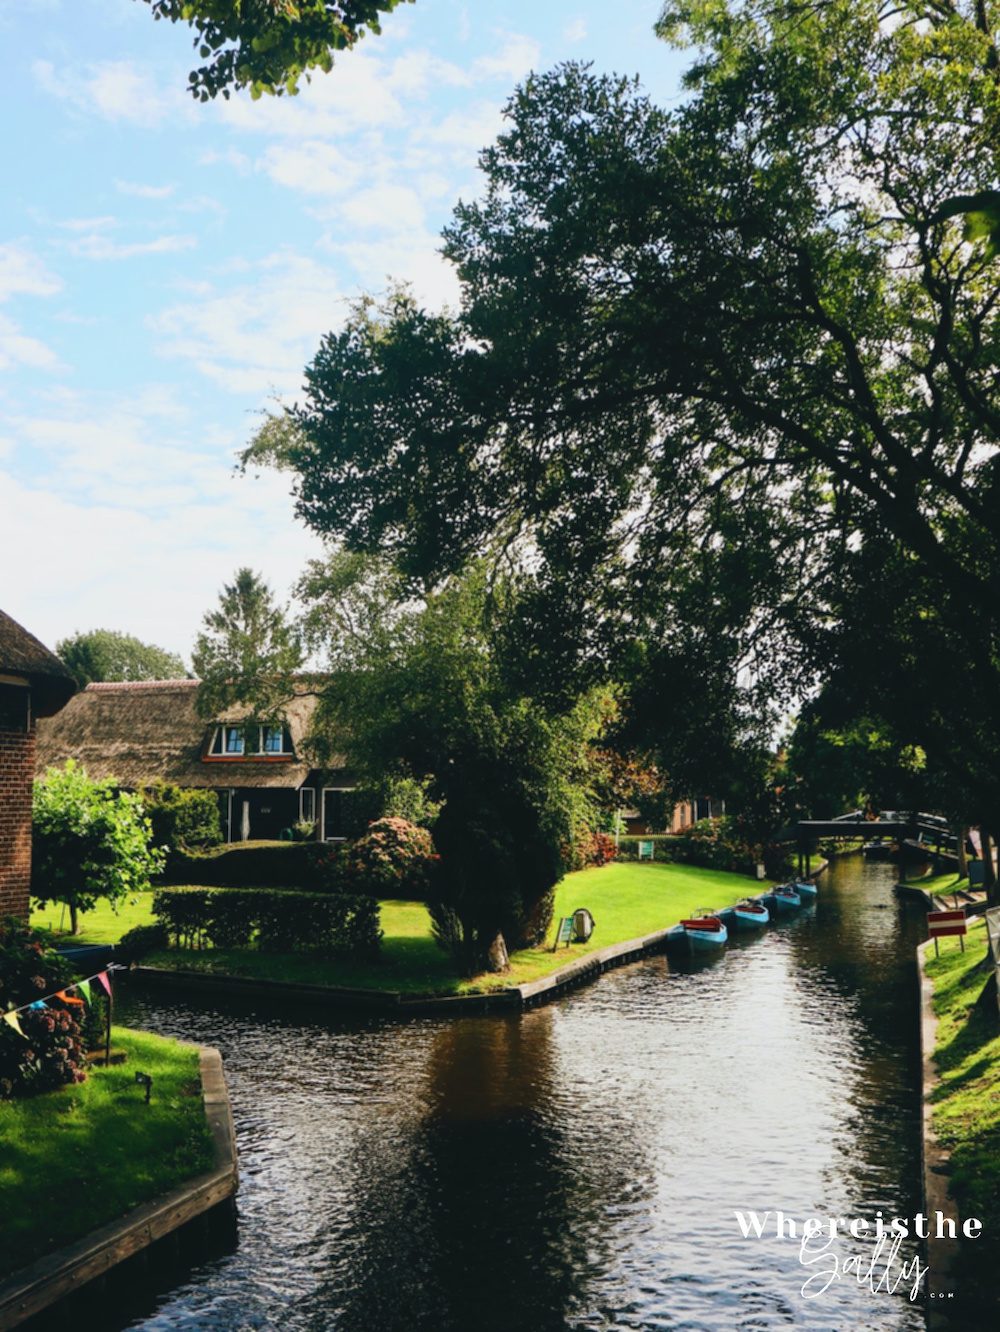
(967, 1053)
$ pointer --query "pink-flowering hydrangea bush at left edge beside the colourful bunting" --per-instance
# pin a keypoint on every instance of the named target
(54, 1050)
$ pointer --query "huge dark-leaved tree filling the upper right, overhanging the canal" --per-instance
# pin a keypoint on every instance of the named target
(746, 347)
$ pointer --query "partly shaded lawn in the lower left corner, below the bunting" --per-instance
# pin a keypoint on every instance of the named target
(77, 1158)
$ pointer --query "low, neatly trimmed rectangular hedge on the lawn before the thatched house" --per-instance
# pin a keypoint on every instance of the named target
(275, 921)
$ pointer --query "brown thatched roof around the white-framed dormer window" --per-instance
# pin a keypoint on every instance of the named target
(143, 732)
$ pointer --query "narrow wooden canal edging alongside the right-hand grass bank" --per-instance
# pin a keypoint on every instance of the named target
(941, 1253)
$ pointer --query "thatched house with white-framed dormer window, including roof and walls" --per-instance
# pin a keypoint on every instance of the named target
(143, 732)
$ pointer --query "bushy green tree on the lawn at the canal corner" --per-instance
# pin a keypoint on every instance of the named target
(425, 692)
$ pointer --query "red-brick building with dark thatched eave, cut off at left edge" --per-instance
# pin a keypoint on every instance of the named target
(34, 683)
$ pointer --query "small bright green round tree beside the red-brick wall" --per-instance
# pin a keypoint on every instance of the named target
(90, 841)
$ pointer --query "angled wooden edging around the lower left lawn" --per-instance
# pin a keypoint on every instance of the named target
(57, 1275)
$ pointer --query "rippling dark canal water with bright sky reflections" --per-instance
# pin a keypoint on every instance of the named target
(579, 1166)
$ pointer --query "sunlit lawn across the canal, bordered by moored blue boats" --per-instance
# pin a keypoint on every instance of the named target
(626, 900)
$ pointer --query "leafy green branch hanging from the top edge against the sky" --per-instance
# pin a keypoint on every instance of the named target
(267, 46)
